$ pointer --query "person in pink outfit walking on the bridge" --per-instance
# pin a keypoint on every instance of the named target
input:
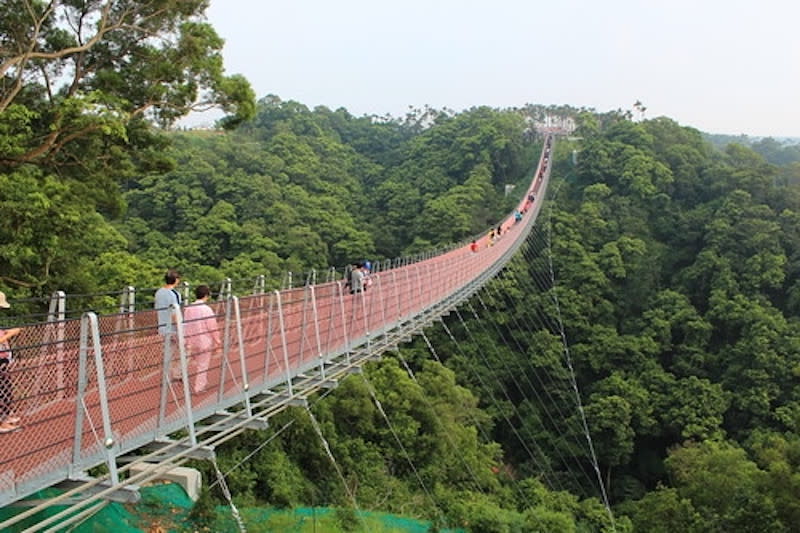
(202, 335)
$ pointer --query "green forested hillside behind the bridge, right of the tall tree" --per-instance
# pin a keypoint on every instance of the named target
(297, 189)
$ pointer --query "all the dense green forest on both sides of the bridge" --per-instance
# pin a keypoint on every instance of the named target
(657, 300)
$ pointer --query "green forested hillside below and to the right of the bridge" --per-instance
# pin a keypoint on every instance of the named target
(676, 269)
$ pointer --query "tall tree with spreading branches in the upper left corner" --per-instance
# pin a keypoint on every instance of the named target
(81, 85)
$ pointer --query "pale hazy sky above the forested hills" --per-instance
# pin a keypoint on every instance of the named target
(729, 66)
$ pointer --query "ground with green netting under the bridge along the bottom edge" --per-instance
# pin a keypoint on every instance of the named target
(165, 508)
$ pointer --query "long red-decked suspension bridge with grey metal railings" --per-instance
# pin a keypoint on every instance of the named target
(97, 390)
